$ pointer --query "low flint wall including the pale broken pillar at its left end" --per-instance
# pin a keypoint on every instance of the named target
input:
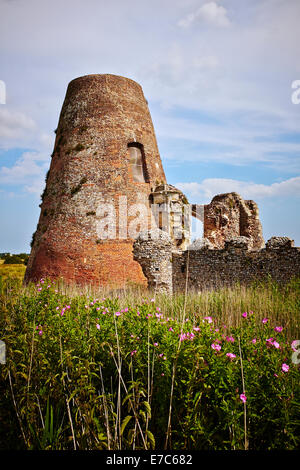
(203, 267)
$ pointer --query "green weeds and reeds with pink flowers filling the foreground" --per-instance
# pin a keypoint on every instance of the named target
(123, 370)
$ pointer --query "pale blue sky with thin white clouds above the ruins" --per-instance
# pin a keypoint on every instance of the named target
(217, 75)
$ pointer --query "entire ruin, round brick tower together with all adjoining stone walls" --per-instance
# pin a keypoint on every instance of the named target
(109, 218)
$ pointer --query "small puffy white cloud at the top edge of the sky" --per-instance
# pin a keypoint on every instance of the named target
(209, 13)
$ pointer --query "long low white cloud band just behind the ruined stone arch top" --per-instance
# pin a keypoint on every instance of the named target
(209, 187)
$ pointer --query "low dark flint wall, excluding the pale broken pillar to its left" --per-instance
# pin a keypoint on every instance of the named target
(235, 263)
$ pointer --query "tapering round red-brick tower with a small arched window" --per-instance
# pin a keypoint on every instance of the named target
(105, 160)
